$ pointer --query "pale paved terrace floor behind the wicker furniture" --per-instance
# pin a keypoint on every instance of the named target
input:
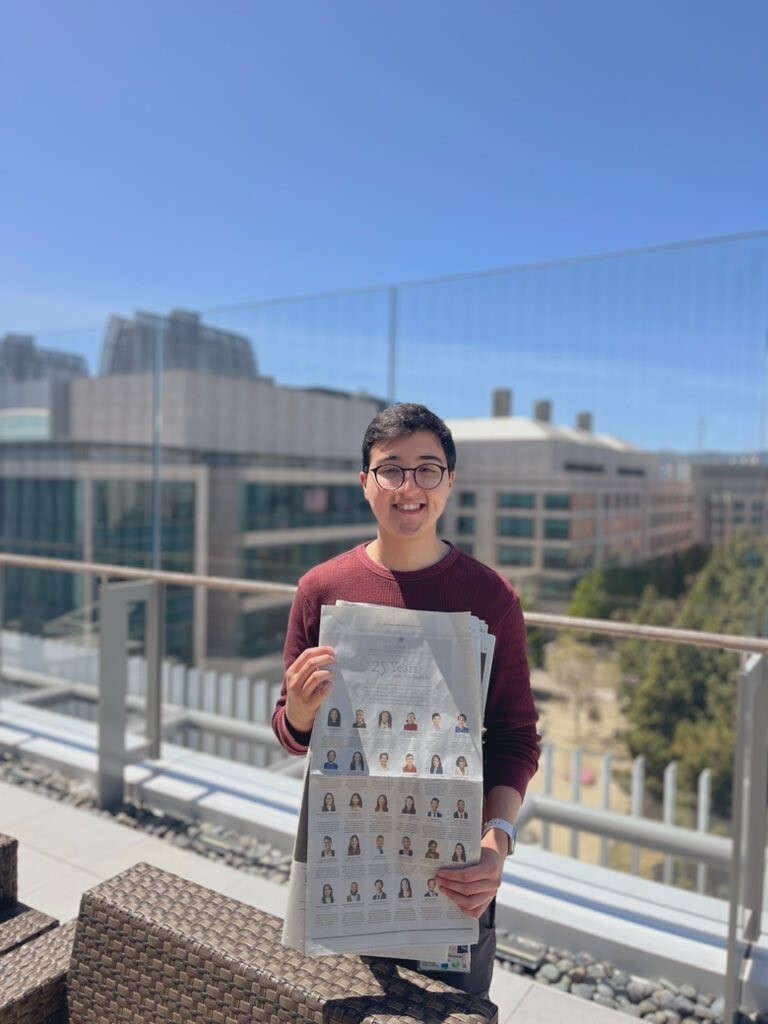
(63, 851)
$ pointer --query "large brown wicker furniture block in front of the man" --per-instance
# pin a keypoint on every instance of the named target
(151, 947)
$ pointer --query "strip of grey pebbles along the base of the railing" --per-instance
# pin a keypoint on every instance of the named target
(659, 1002)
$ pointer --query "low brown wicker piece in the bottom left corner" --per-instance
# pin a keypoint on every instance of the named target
(33, 979)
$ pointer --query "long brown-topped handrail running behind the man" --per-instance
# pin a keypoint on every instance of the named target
(628, 631)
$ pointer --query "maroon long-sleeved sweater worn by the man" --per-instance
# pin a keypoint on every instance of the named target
(457, 583)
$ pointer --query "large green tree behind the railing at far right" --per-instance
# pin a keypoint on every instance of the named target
(681, 701)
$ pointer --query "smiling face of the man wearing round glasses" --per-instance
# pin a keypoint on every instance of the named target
(410, 513)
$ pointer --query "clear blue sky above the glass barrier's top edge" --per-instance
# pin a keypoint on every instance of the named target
(196, 155)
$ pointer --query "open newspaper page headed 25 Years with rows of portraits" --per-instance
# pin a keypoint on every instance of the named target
(394, 787)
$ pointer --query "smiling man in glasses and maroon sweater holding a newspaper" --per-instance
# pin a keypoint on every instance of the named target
(409, 461)
